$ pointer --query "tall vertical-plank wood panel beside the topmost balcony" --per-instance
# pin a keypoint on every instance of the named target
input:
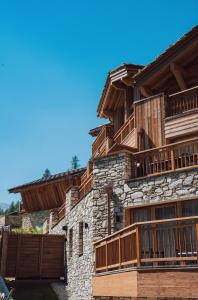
(149, 120)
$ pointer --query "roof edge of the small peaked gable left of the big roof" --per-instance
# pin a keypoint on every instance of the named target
(116, 74)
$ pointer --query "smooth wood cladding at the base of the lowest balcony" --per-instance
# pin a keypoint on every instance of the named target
(153, 284)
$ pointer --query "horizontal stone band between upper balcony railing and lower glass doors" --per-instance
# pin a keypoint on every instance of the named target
(172, 186)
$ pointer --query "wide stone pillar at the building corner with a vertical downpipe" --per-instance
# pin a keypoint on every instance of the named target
(112, 170)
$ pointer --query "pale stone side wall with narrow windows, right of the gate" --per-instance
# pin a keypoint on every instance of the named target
(79, 268)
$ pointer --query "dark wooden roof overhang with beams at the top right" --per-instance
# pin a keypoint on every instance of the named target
(156, 74)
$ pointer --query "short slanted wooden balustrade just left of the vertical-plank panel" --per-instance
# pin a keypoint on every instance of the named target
(124, 131)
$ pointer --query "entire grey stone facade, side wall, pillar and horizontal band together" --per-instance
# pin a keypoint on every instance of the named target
(115, 171)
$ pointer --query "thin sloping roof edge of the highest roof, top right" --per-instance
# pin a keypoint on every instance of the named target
(168, 52)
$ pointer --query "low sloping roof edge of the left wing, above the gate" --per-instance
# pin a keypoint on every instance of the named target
(51, 178)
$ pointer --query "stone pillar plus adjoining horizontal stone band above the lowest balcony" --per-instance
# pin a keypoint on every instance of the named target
(115, 170)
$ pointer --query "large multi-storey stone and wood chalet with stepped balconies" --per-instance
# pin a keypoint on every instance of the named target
(131, 220)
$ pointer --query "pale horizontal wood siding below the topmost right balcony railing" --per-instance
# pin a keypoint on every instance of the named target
(181, 125)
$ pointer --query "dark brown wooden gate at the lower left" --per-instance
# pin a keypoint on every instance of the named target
(32, 255)
